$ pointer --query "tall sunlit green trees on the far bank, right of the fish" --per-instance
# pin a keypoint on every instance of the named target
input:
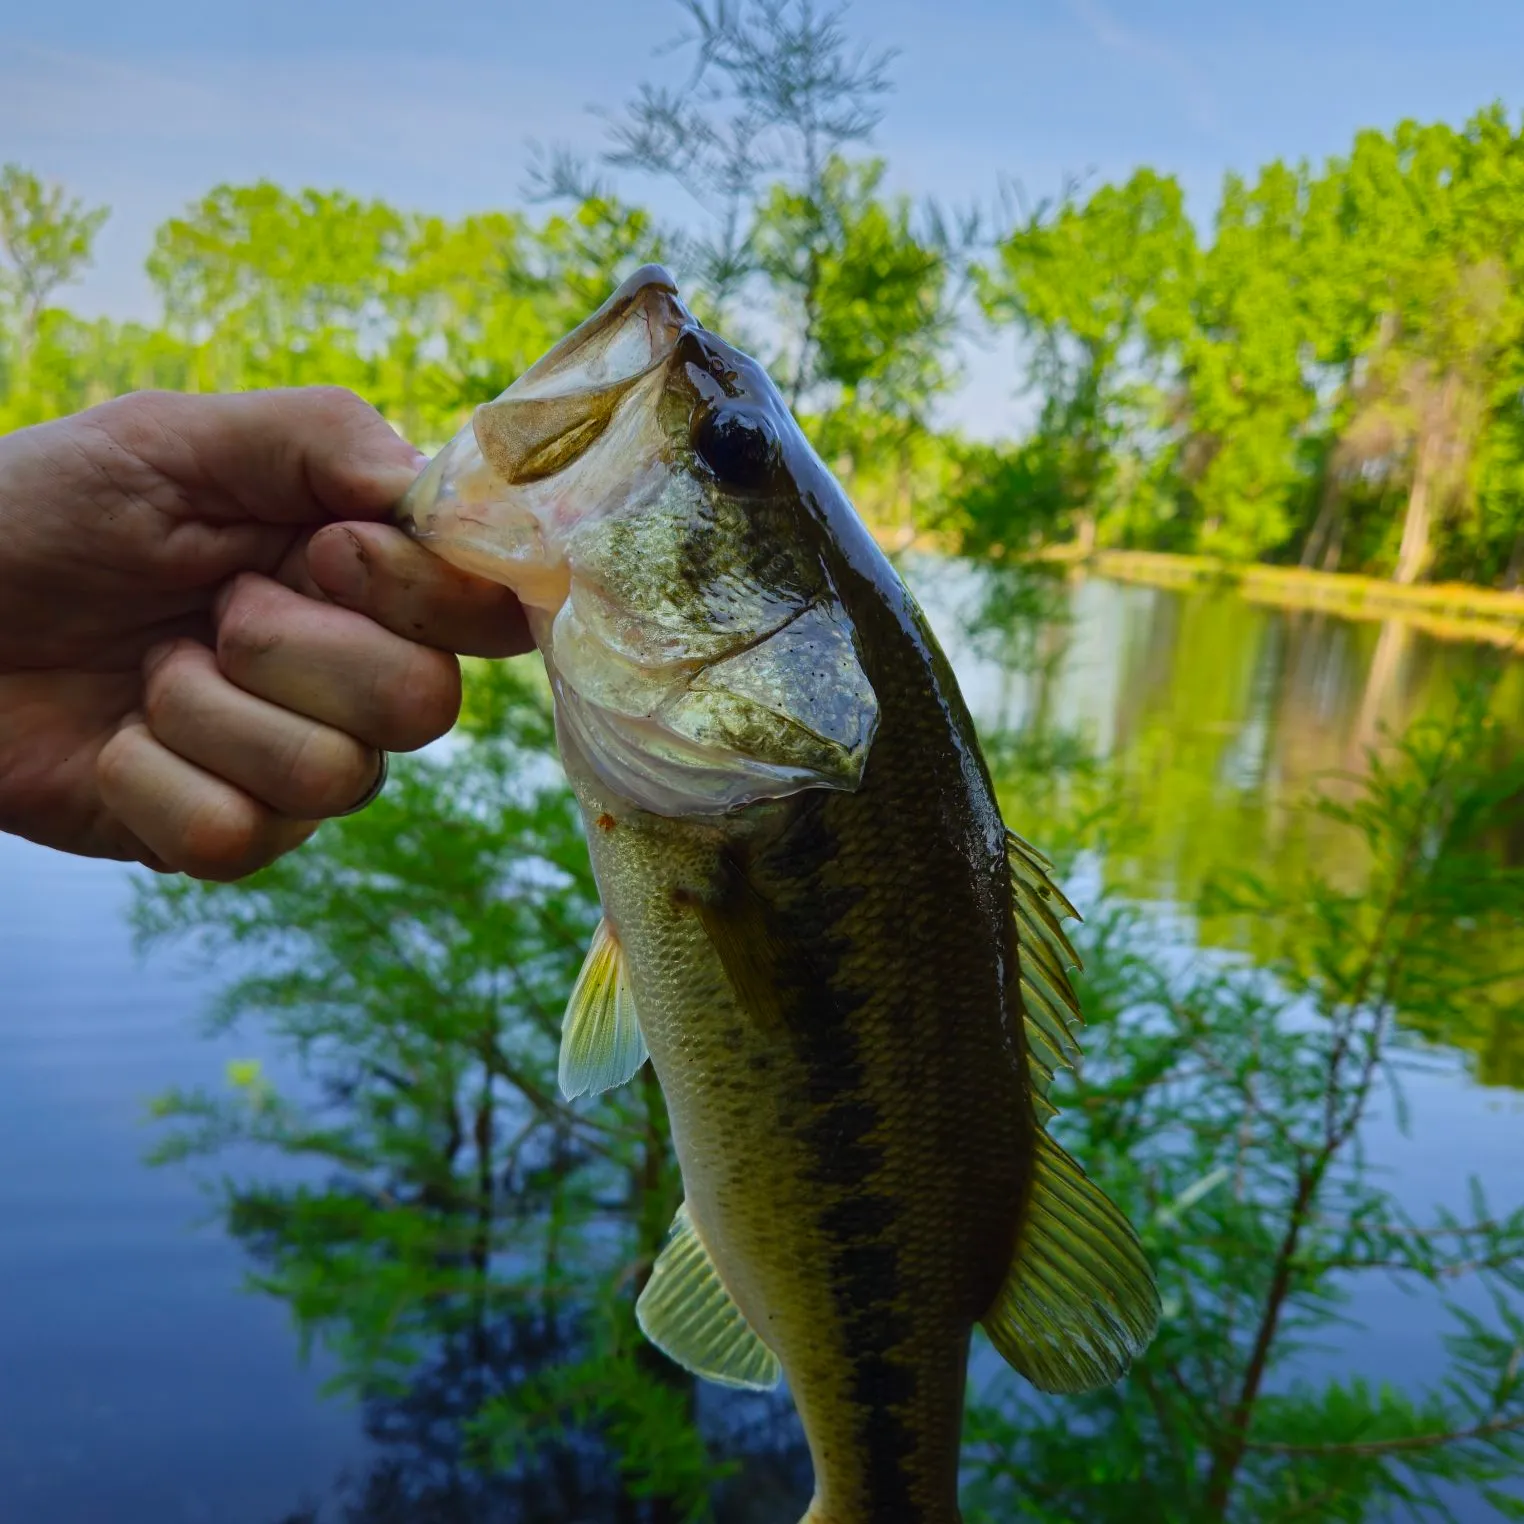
(1333, 379)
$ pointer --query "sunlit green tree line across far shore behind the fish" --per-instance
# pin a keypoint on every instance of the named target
(1331, 374)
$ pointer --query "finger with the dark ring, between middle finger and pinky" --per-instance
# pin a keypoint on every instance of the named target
(296, 766)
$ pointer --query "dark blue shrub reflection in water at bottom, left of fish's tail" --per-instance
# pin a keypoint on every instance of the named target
(429, 1468)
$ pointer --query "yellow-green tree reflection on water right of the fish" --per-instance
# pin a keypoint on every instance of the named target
(1220, 719)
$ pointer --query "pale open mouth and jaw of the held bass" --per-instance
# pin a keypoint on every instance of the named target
(501, 496)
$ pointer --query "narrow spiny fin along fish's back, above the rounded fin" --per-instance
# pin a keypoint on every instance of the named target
(1048, 997)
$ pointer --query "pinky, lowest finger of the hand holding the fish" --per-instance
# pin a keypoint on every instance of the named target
(187, 819)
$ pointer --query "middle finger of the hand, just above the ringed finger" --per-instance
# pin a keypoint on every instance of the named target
(335, 665)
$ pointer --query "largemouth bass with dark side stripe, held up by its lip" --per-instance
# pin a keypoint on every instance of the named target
(850, 976)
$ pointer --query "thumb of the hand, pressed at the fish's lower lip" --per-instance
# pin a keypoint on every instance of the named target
(303, 455)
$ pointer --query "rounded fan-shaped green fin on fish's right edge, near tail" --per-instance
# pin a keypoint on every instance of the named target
(1080, 1304)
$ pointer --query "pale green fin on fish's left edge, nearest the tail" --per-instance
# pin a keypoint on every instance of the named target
(690, 1316)
